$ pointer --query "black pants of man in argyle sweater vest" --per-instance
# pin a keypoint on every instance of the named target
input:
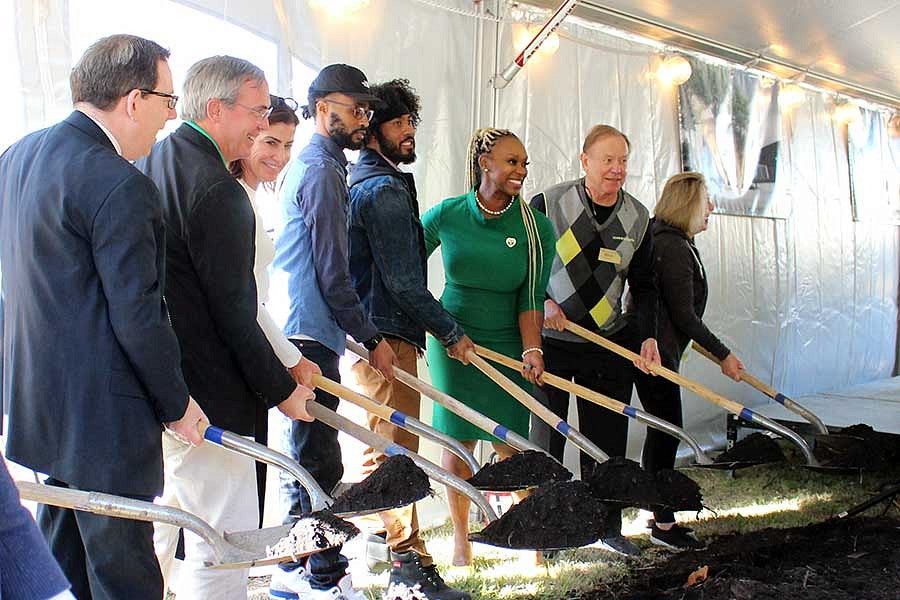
(602, 371)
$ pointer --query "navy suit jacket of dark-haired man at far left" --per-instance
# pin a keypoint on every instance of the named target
(91, 364)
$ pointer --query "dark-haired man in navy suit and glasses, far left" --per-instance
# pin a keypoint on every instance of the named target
(91, 365)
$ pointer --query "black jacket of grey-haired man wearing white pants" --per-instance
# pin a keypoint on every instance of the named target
(228, 362)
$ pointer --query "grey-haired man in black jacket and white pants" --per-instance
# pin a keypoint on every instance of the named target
(229, 365)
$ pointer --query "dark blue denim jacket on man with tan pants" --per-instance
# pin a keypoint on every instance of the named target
(387, 254)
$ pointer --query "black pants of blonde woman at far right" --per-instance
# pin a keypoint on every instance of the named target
(661, 398)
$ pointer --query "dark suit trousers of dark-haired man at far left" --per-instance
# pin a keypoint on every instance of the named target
(104, 558)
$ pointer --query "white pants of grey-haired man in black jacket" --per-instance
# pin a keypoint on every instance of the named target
(219, 486)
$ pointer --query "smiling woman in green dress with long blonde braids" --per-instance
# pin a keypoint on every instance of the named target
(497, 253)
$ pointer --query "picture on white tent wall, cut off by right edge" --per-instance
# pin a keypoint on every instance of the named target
(873, 154)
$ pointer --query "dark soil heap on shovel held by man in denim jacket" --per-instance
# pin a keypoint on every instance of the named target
(621, 483)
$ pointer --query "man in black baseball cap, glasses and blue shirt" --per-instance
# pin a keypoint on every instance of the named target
(312, 252)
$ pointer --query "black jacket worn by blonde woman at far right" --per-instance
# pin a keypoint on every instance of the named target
(683, 292)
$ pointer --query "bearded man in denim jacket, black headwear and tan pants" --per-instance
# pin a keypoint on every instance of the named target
(388, 264)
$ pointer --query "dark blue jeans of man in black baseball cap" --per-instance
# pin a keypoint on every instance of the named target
(315, 446)
